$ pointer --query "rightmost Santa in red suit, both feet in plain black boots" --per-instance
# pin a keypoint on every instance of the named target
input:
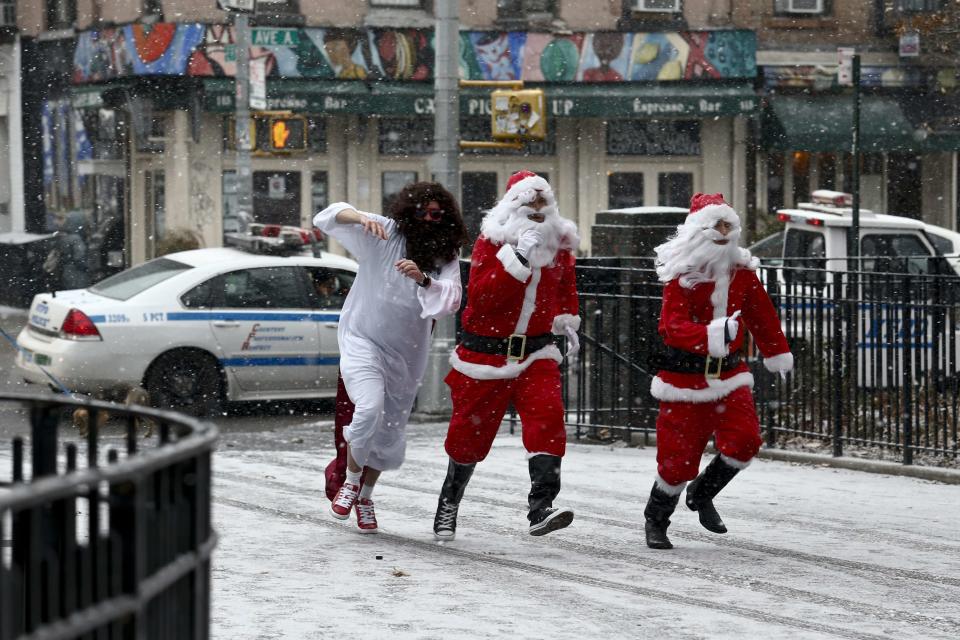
(711, 298)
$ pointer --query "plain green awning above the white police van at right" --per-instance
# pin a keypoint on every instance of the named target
(825, 123)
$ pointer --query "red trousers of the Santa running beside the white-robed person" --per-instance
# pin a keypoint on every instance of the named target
(479, 407)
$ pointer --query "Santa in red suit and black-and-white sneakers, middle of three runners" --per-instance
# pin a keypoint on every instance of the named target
(521, 293)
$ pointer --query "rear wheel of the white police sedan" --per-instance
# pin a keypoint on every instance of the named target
(185, 381)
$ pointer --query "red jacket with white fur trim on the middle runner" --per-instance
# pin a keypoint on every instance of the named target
(505, 297)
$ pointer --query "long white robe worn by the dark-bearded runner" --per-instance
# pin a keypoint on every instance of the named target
(384, 336)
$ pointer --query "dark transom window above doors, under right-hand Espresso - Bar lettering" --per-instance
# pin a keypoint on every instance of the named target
(653, 138)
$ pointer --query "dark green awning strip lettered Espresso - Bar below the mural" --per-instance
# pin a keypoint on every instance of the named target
(633, 100)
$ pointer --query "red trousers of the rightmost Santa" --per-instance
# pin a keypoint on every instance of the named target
(684, 428)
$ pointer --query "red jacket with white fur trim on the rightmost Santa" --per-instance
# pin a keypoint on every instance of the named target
(688, 323)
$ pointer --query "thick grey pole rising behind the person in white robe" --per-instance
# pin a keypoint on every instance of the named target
(433, 399)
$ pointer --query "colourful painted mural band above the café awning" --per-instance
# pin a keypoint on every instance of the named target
(408, 54)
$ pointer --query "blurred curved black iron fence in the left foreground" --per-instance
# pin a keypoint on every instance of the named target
(116, 546)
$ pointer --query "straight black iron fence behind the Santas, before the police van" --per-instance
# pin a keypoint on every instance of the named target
(876, 370)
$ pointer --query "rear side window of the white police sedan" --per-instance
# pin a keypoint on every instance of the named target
(265, 288)
